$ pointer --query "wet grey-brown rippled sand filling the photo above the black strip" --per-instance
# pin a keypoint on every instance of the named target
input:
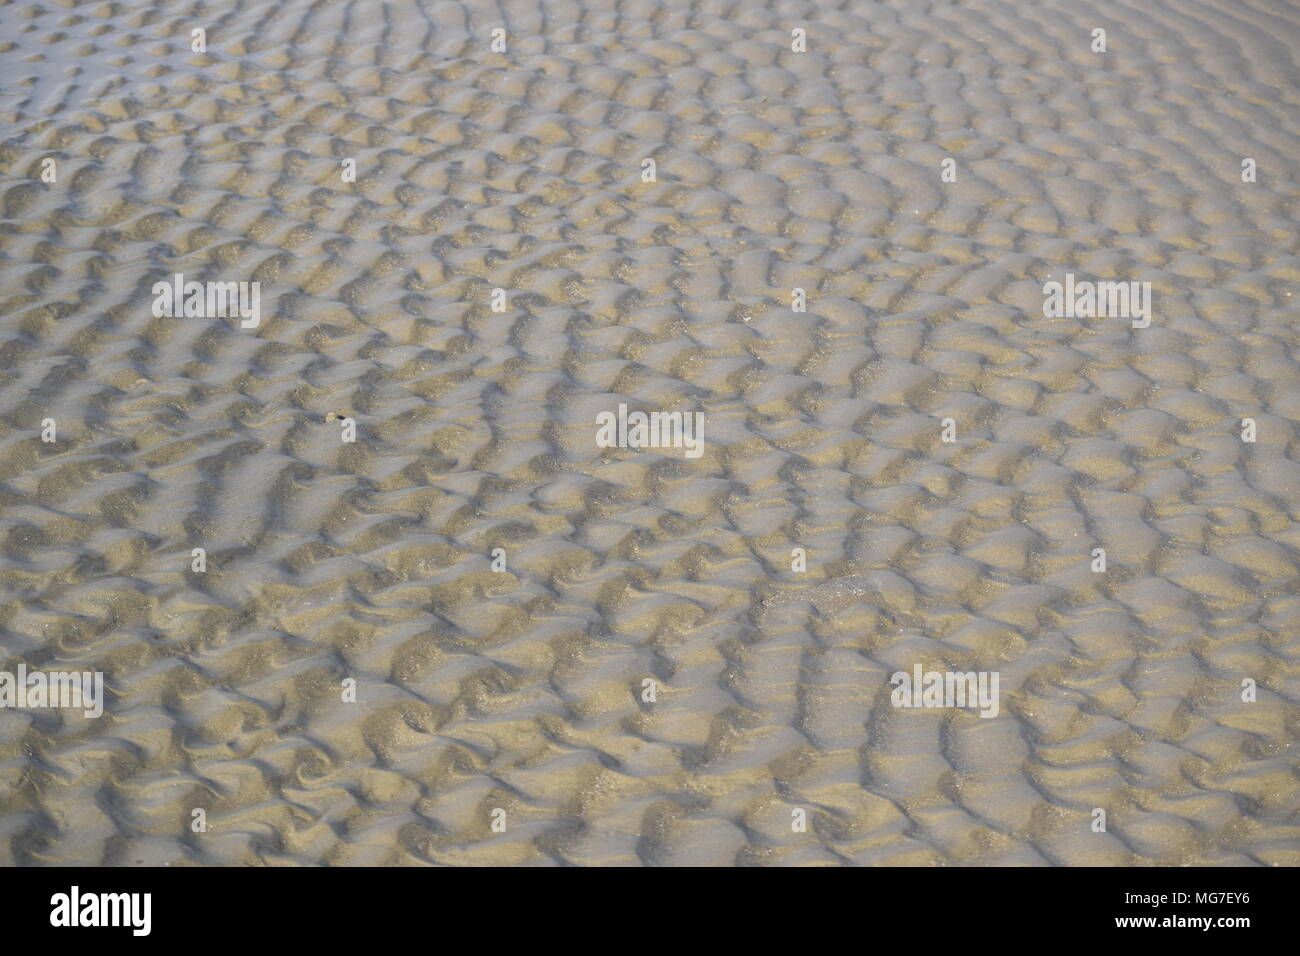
(523, 690)
